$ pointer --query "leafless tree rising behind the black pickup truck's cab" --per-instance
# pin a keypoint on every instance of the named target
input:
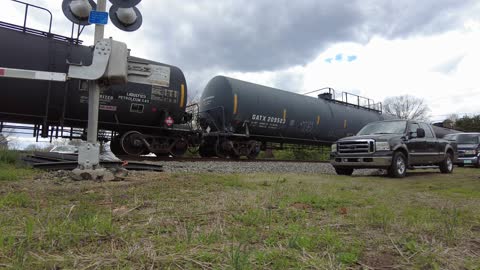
(406, 107)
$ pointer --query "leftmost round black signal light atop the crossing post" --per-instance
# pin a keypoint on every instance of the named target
(78, 11)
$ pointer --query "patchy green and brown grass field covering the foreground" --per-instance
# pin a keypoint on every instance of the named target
(244, 221)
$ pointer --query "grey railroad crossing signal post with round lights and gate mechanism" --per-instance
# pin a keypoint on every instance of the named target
(126, 17)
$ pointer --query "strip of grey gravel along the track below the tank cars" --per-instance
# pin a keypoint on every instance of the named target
(253, 167)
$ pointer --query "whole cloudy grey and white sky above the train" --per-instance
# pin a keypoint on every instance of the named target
(375, 48)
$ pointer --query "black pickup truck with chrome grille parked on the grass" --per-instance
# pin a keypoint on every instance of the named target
(394, 145)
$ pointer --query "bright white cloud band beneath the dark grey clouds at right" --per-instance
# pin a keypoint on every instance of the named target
(396, 67)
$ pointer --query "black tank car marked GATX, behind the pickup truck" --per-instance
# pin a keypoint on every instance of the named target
(239, 117)
